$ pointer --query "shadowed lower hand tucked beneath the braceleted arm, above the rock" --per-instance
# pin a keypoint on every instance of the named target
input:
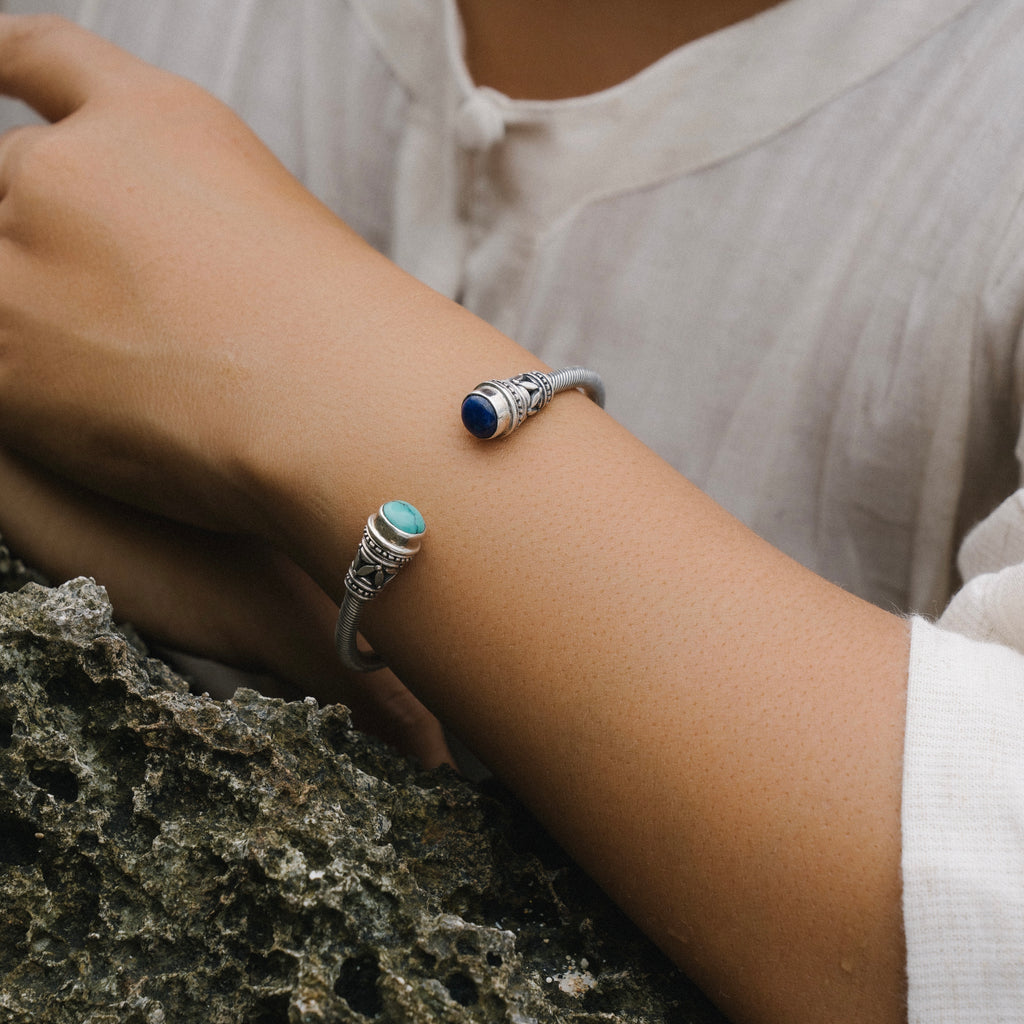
(220, 596)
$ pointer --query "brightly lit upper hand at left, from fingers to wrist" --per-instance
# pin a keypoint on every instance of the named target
(155, 259)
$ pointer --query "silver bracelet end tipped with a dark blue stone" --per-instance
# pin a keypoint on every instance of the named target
(495, 409)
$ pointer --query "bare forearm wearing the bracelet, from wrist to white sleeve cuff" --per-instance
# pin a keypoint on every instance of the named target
(713, 732)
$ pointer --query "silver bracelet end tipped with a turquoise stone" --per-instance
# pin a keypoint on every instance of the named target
(391, 540)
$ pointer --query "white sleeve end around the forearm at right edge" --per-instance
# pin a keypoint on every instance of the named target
(964, 790)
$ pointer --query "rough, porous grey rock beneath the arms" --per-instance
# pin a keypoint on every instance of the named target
(168, 859)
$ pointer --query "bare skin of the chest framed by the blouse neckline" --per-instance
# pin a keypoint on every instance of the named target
(540, 50)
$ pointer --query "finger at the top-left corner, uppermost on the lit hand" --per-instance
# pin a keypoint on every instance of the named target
(54, 65)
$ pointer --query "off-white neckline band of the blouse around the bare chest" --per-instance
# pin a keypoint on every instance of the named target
(707, 101)
